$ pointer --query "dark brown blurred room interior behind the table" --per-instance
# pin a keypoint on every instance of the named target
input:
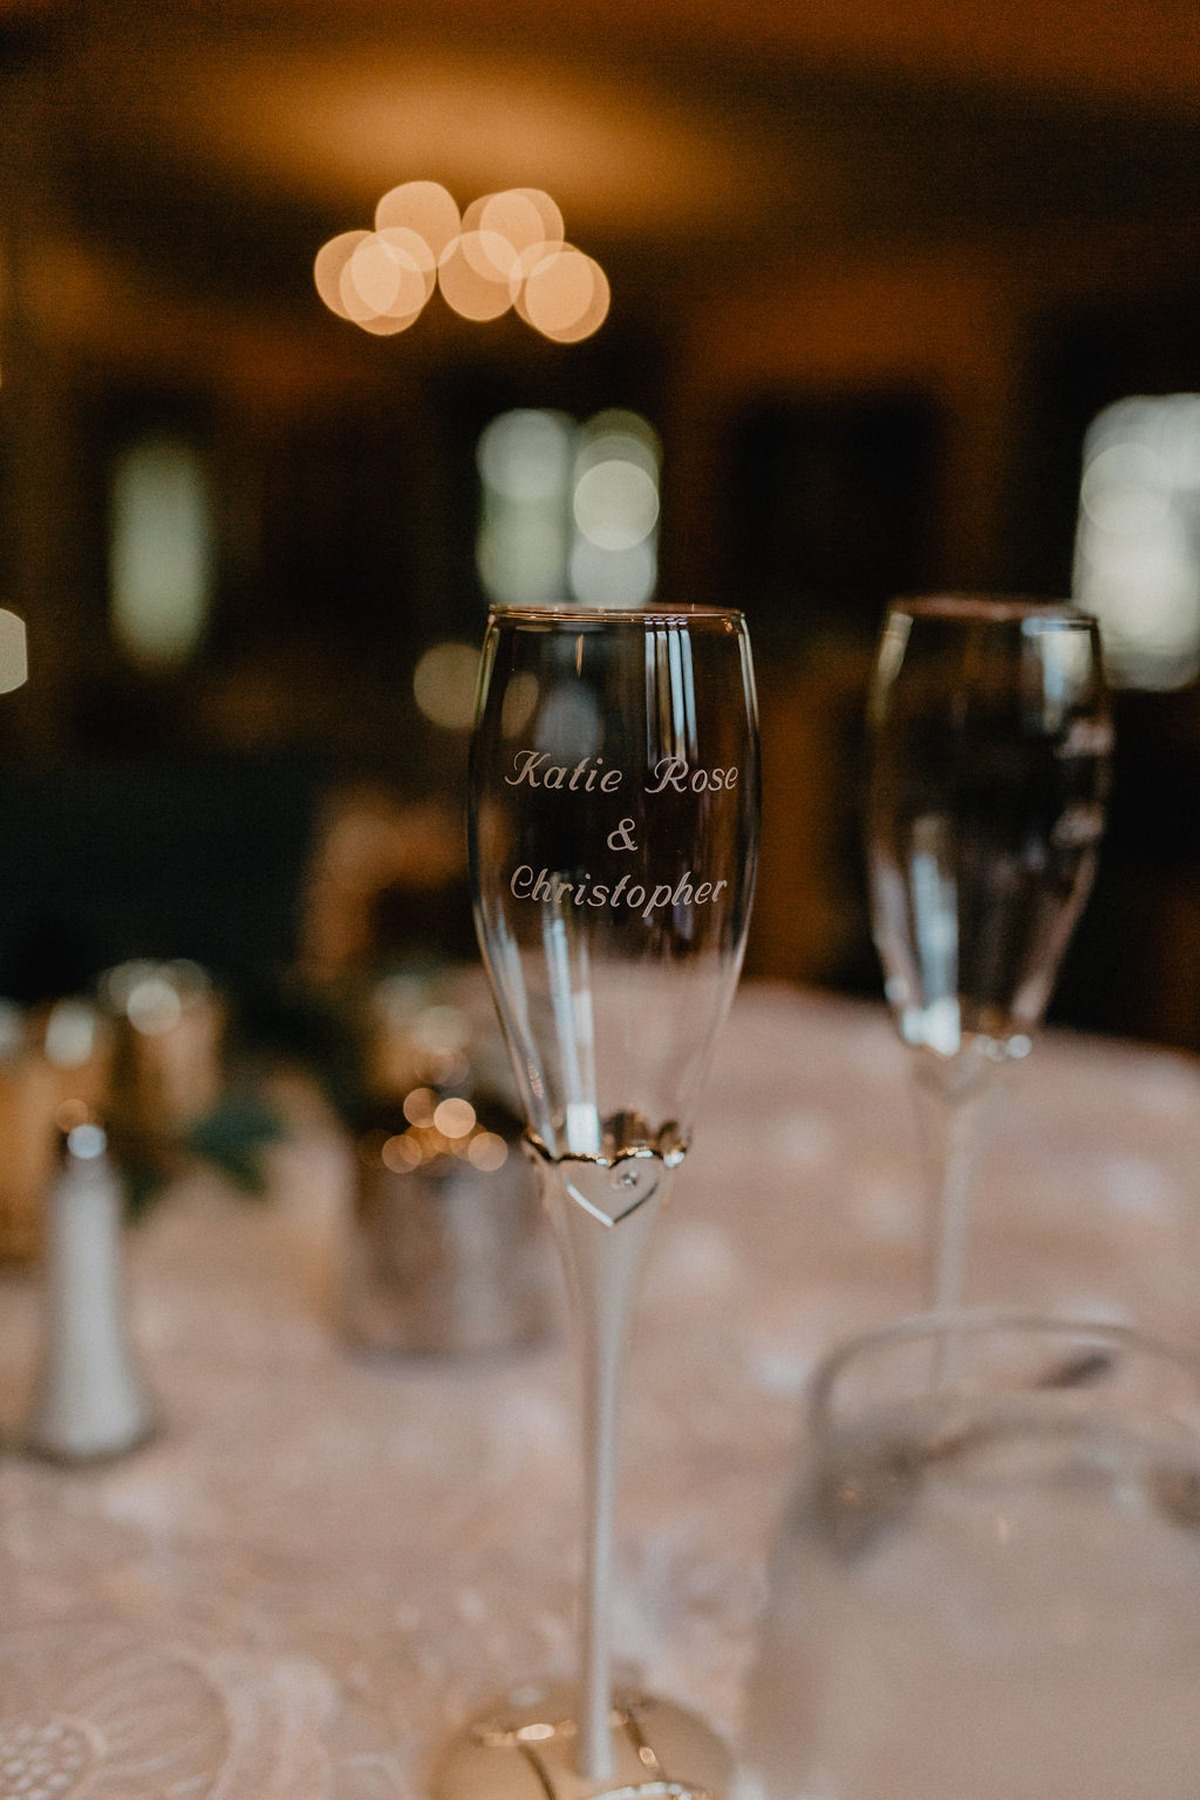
(875, 273)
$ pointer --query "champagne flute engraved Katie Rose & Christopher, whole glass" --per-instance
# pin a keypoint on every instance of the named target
(614, 805)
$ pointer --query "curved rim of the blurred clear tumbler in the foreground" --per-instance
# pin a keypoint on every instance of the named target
(983, 1322)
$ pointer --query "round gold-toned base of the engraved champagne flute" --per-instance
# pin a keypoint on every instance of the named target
(523, 1747)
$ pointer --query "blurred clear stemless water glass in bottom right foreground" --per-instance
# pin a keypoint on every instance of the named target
(990, 1588)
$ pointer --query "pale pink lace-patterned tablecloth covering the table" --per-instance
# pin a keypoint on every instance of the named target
(321, 1563)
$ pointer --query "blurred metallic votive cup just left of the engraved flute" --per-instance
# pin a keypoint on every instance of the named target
(447, 1254)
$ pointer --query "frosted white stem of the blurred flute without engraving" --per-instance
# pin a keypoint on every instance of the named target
(953, 1128)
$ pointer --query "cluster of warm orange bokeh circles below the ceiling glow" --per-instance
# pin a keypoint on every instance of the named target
(506, 253)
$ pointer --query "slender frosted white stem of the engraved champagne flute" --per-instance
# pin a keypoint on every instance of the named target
(604, 1259)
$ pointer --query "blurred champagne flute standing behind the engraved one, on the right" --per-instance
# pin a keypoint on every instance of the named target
(990, 741)
